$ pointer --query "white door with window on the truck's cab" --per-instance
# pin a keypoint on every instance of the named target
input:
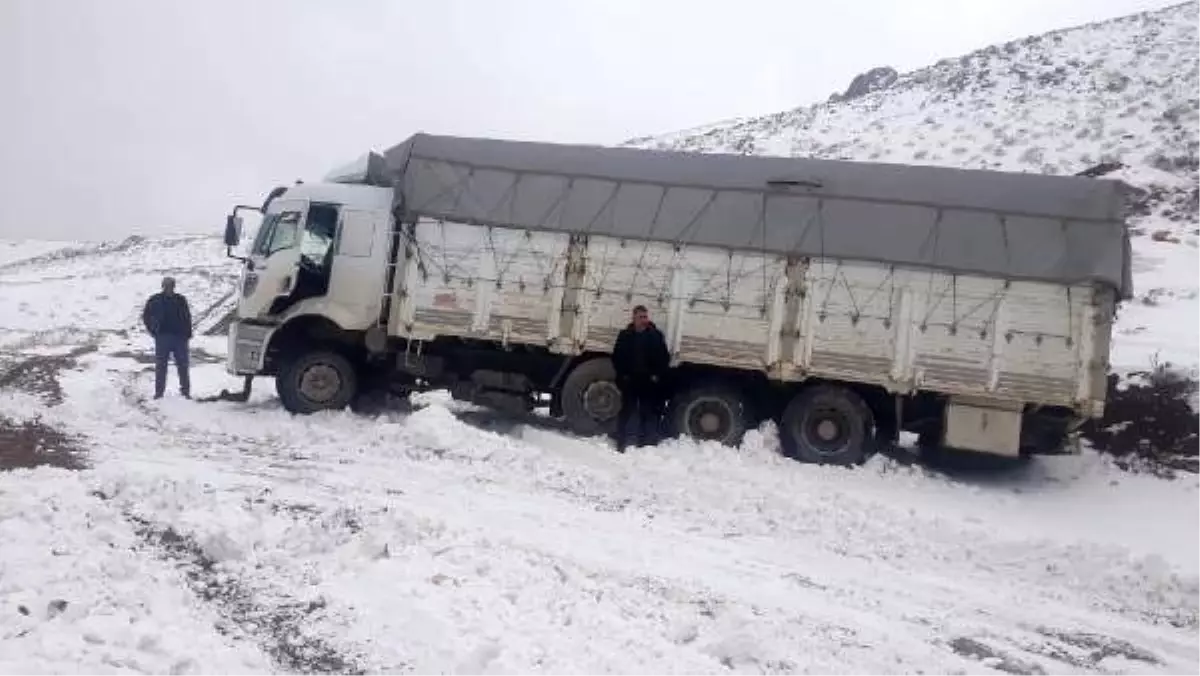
(275, 258)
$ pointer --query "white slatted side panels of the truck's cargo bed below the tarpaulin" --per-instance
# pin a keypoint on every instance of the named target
(903, 328)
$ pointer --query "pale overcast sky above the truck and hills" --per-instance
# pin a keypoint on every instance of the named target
(122, 117)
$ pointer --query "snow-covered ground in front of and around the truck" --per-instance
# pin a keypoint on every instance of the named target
(221, 539)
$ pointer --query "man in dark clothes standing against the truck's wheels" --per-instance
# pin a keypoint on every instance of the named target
(641, 360)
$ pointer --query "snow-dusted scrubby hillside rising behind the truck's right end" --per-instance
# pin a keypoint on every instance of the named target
(1120, 92)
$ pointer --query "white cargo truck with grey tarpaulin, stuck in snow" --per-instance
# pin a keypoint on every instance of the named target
(848, 302)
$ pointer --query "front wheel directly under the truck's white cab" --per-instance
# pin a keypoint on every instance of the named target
(317, 381)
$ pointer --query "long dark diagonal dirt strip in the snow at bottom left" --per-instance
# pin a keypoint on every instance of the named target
(279, 629)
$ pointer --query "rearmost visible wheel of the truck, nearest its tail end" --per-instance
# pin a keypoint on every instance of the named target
(829, 426)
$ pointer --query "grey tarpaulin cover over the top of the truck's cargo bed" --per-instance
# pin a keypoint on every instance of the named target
(1064, 230)
